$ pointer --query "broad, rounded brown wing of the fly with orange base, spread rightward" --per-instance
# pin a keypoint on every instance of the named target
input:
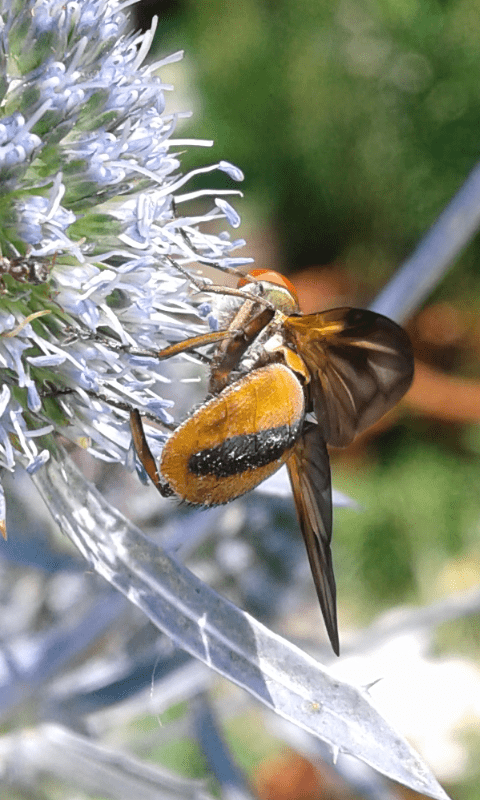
(361, 365)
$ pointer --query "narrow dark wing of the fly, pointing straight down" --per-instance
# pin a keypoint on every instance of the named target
(309, 470)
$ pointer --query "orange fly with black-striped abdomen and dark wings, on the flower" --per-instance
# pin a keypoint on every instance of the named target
(282, 386)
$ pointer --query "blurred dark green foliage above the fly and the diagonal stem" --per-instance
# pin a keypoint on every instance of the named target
(354, 122)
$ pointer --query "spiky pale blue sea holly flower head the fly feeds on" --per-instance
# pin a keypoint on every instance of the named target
(92, 223)
